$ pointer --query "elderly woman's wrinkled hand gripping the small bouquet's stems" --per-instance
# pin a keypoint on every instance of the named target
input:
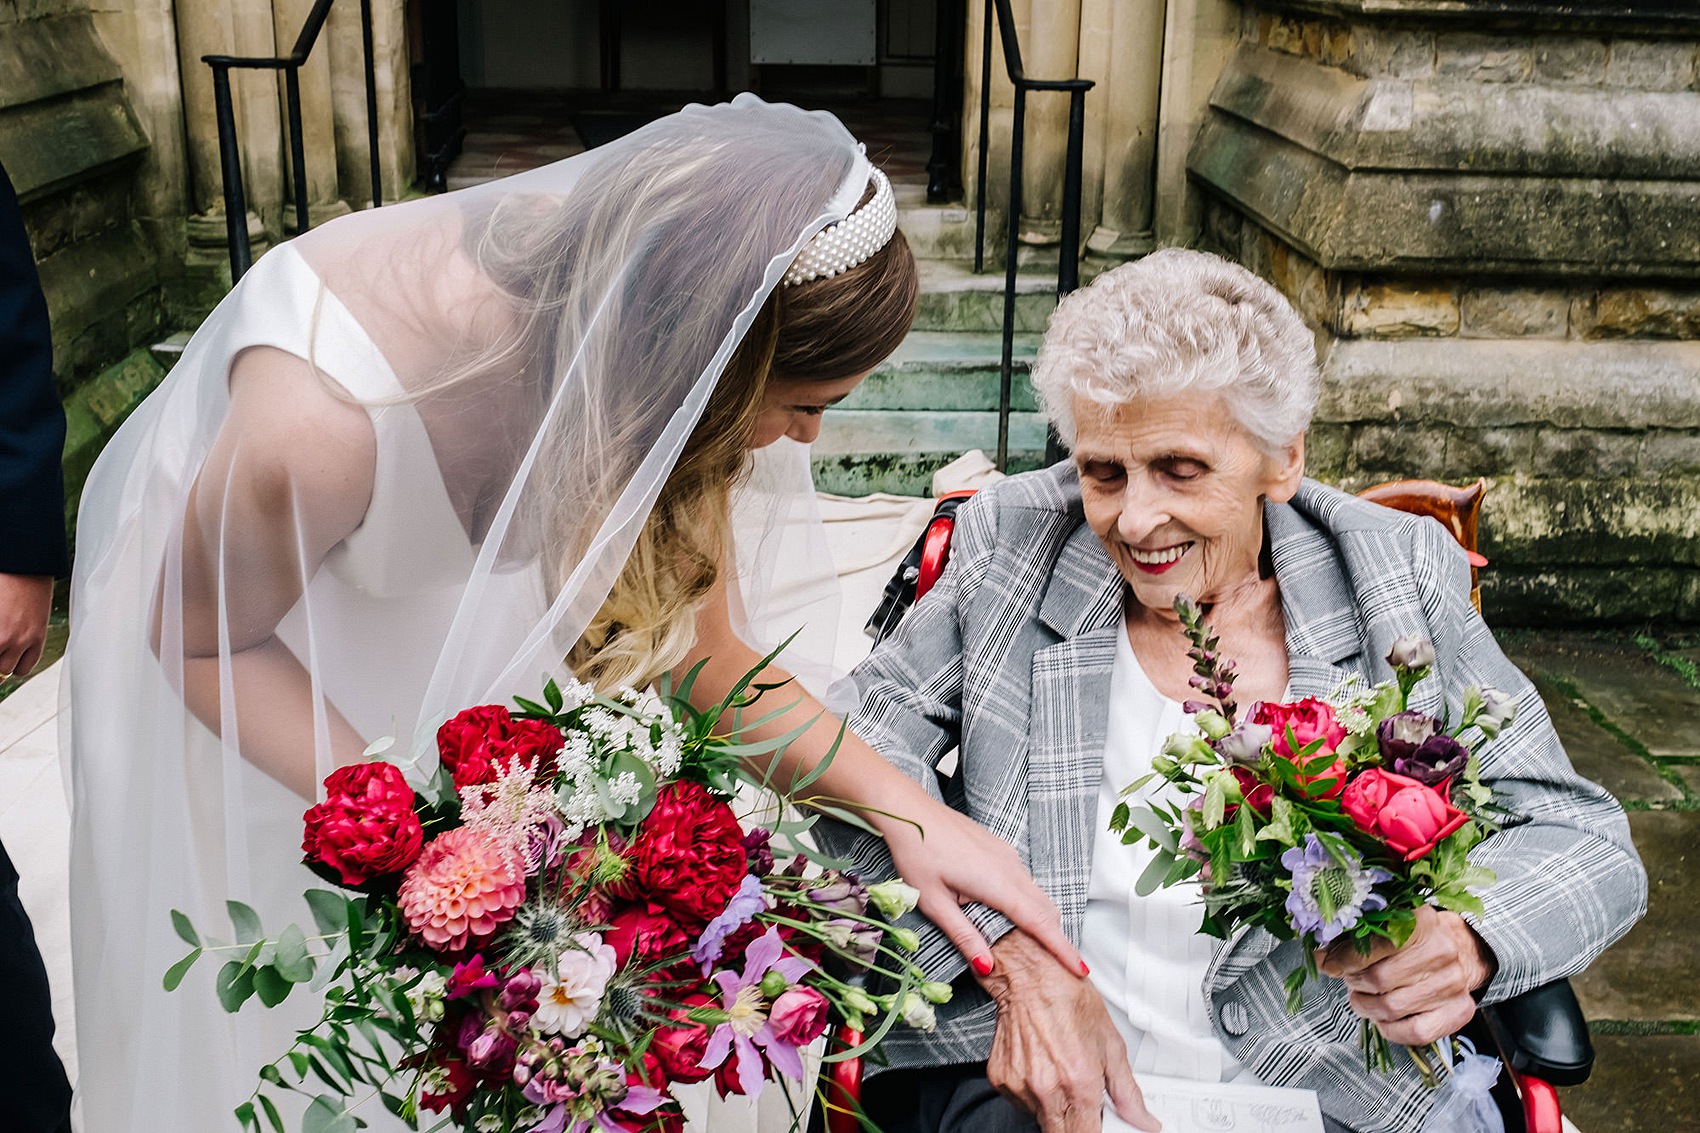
(1420, 993)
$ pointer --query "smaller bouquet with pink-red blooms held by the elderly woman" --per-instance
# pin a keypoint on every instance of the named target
(1320, 821)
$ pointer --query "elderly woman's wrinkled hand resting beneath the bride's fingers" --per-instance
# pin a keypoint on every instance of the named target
(1057, 1052)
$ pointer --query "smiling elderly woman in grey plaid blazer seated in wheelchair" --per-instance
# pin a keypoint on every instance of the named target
(1053, 659)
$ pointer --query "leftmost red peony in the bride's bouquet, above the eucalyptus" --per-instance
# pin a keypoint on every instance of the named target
(366, 826)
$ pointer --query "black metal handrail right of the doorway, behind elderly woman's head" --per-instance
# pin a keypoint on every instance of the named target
(1068, 261)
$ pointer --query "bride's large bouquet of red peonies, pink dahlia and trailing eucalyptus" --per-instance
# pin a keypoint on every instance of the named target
(565, 925)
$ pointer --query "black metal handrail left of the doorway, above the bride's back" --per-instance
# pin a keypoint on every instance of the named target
(230, 152)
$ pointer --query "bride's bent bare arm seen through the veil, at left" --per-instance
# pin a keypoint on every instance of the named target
(288, 477)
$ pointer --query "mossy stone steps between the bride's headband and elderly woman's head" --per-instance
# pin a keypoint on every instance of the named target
(938, 396)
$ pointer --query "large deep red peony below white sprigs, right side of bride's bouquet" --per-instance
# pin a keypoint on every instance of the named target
(688, 857)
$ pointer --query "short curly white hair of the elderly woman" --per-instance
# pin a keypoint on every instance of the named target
(1181, 321)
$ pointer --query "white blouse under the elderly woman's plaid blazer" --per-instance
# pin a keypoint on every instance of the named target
(1147, 955)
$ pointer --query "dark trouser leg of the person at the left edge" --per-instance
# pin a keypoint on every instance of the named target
(35, 1096)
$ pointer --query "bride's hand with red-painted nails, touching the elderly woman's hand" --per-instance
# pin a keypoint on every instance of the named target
(955, 862)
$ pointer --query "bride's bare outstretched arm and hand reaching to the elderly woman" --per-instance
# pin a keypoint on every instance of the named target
(943, 853)
